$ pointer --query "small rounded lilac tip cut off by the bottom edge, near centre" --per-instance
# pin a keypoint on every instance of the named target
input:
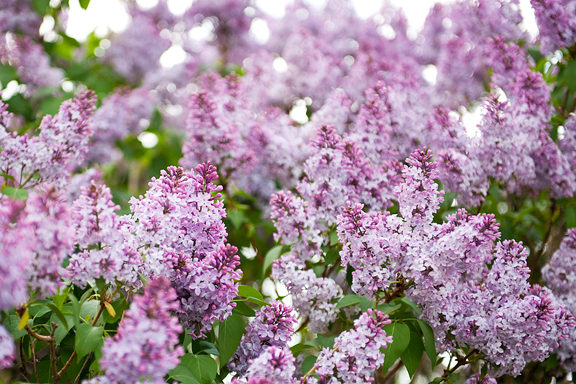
(275, 364)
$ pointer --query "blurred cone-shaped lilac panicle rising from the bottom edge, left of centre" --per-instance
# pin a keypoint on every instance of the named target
(146, 345)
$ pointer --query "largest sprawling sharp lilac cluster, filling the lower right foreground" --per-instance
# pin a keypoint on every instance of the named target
(471, 291)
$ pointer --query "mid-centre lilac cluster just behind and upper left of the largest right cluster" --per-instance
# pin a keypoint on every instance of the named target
(336, 172)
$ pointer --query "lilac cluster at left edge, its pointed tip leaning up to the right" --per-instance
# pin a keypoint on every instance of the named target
(56, 151)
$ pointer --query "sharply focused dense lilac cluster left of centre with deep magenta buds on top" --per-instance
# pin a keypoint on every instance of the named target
(179, 230)
